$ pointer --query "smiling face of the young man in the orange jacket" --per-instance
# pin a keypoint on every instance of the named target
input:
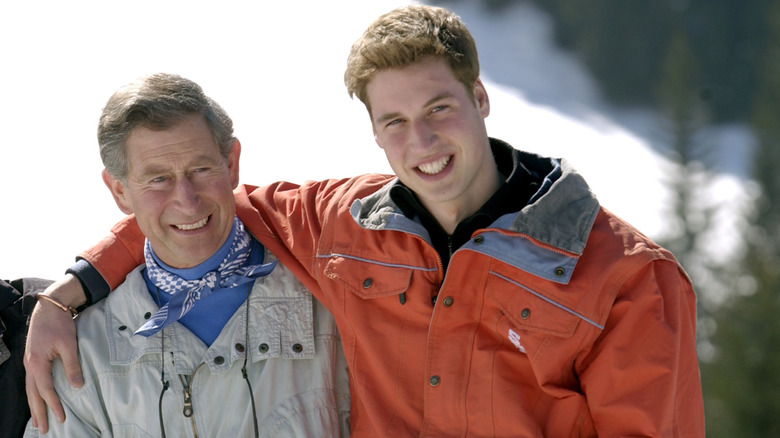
(432, 130)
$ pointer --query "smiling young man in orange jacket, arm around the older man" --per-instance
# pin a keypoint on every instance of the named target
(484, 291)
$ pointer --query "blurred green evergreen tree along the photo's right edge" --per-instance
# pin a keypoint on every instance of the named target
(742, 384)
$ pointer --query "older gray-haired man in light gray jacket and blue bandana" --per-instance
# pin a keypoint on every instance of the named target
(211, 336)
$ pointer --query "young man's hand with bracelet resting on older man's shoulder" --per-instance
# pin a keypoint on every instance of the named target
(52, 333)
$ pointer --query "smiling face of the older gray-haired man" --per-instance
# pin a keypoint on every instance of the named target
(181, 190)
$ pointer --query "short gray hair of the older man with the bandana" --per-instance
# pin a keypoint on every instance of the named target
(157, 102)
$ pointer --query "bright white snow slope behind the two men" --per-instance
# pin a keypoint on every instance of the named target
(277, 68)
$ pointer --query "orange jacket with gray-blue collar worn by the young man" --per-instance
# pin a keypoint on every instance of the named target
(559, 321)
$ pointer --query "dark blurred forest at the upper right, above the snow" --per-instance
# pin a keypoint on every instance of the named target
(625, 43)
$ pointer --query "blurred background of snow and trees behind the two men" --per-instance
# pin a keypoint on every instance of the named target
(669, 108)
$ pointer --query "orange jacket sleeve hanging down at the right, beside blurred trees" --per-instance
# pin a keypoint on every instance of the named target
(642, 376)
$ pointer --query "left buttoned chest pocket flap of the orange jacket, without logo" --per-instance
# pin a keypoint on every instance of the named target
(368, 279)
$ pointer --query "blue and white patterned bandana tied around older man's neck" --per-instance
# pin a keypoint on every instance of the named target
(231, 272)
